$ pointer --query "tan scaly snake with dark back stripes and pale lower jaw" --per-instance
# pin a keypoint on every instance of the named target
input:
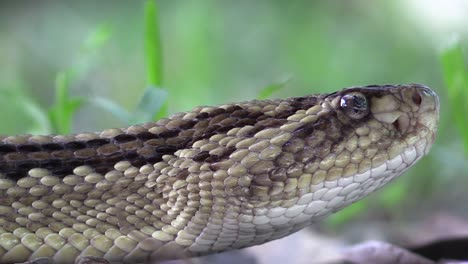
(212, 179)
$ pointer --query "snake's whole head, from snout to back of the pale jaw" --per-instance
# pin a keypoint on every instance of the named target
(334, 150)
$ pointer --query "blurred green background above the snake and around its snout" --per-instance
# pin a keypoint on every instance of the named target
(57, 57)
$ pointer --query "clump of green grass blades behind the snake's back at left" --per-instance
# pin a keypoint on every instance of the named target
(59, 117)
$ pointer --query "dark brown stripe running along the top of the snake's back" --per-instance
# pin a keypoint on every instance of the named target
(102, 153)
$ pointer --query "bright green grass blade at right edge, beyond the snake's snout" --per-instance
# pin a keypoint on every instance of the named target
(456, 80)
